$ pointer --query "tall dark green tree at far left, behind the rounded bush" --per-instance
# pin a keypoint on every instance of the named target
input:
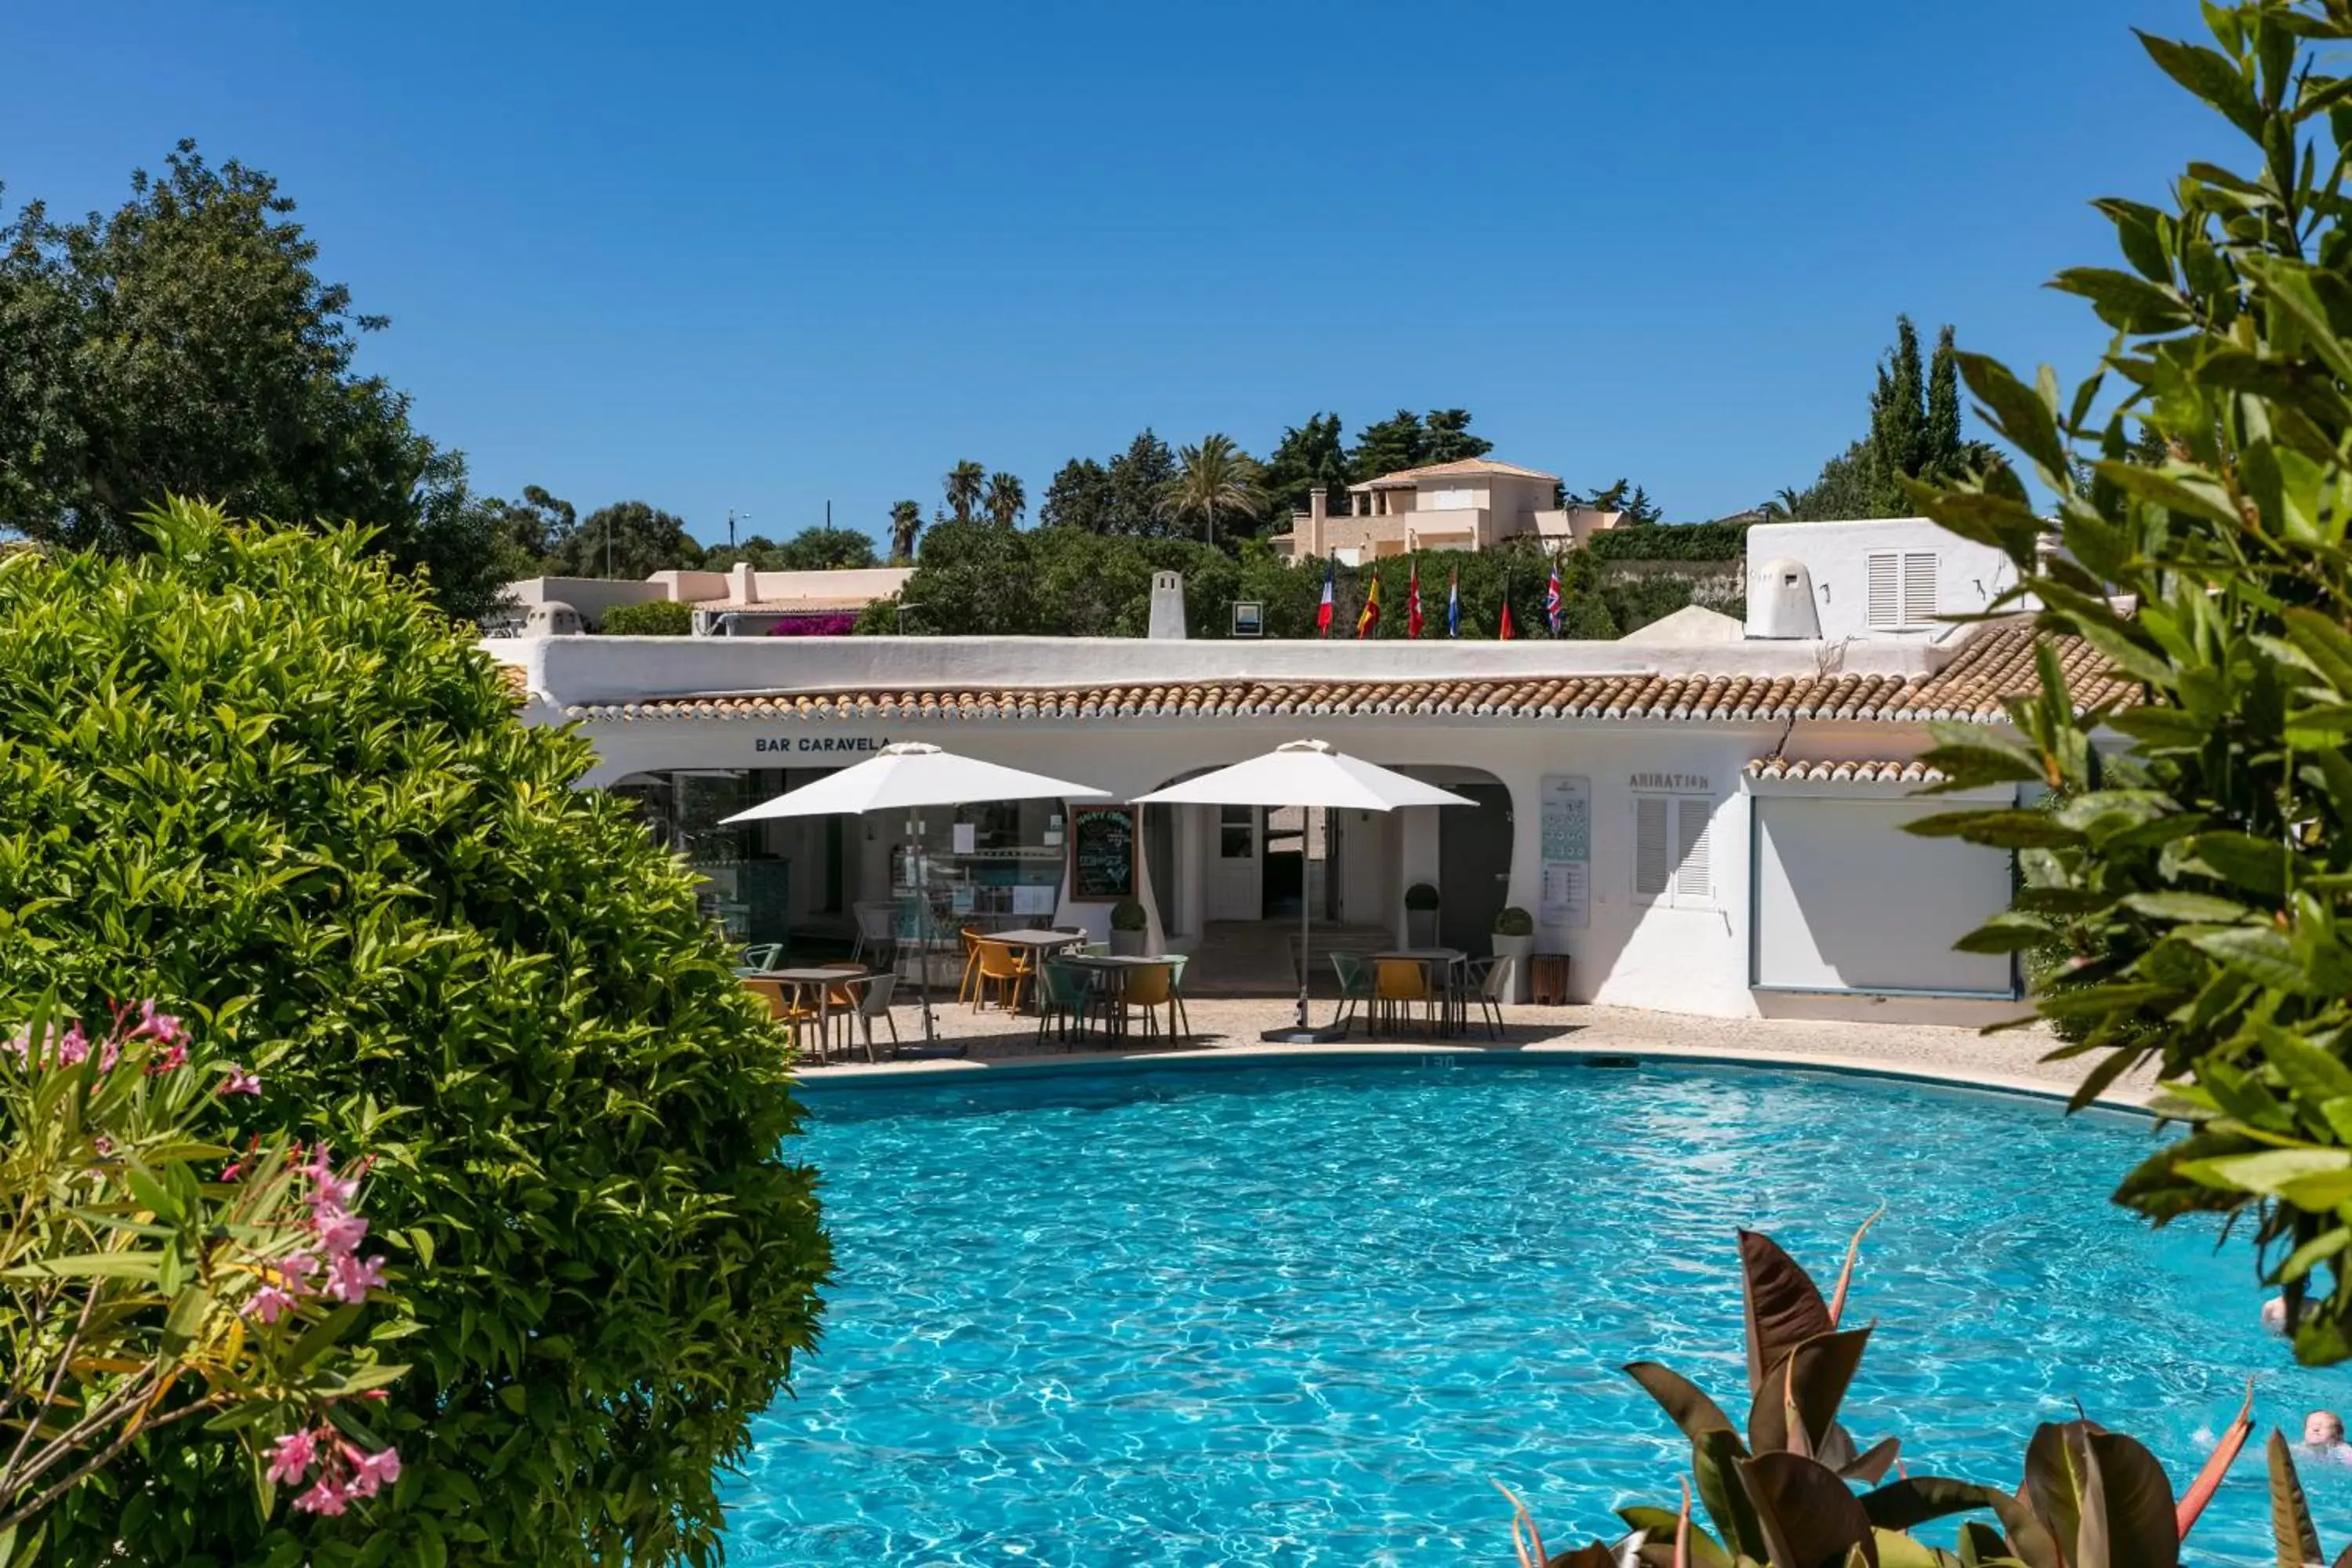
(187, 344)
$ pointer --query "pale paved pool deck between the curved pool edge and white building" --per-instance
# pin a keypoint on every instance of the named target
(1227, 1028)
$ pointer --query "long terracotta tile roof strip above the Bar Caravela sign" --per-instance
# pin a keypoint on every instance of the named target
(1993, 666)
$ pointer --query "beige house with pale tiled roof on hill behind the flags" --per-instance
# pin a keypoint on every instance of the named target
(1474, 504)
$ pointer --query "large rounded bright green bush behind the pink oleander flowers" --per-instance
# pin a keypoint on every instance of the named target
(260, 775)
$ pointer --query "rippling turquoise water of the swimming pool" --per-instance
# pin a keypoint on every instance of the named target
(1304, 1315)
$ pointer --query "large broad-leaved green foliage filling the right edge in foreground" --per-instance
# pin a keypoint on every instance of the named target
(2198, 885)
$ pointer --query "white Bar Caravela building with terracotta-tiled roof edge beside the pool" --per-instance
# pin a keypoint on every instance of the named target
(1704, 826)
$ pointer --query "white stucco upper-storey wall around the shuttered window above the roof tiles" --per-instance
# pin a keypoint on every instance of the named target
(1970, 577)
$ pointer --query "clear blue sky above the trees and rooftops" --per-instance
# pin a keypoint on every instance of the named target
(768, 255)
